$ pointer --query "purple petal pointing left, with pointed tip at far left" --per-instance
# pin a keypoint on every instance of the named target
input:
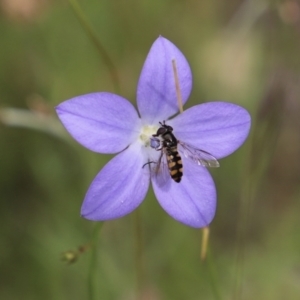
(102, 122)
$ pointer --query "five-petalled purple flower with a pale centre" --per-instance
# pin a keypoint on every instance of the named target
(107, 123)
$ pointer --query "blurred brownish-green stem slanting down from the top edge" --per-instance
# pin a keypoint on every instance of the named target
(93, 36)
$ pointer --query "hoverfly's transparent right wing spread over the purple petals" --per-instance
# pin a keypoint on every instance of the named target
(199, 156)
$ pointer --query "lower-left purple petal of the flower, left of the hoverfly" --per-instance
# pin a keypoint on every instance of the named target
(119, 188)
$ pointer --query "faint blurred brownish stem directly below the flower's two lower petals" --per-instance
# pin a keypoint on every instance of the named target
(140, 274)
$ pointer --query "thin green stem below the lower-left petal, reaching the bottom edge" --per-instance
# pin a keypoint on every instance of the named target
(92, 275)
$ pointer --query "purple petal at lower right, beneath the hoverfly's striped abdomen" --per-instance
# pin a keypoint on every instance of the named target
(192, 201)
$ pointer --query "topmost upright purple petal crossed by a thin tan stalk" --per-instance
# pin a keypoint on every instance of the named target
(156, 93)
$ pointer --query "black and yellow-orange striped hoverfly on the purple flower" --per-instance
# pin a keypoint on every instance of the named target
(165, 141)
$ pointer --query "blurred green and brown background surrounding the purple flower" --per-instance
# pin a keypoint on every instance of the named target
(246, 52)
